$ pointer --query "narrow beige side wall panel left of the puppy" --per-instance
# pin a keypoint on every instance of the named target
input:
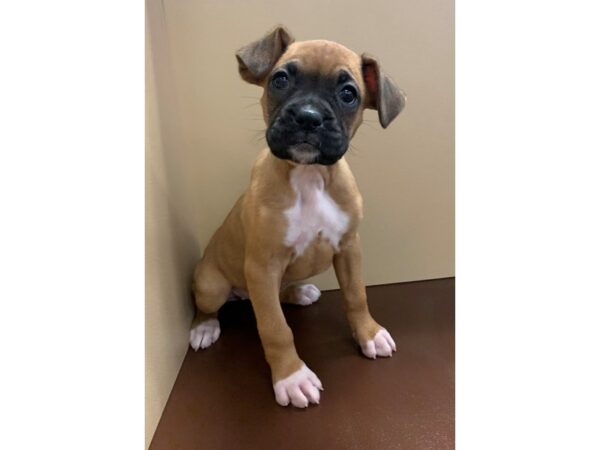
(171, 246)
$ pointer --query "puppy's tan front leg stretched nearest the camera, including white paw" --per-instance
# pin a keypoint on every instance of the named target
(293, 381)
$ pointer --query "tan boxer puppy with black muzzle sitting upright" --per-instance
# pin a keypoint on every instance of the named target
(301, 211)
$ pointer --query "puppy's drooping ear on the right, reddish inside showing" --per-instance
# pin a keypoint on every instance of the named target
(382, 93)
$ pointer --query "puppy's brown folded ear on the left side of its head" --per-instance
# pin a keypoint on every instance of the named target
(256, 60)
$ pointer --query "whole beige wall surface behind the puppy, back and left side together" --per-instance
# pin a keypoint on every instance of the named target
(205, 129)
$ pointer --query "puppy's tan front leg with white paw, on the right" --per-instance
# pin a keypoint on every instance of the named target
(374, 340)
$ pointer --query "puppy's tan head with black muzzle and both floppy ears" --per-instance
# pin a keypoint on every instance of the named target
(314, 94)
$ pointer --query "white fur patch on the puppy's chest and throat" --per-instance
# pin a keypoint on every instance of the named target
(313, 213)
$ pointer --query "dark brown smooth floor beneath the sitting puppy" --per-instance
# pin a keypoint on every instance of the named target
(223, 398)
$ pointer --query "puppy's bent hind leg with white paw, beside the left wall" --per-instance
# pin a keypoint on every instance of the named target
(211, 290)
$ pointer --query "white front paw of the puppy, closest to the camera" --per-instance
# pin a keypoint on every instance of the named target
(300, 388)
